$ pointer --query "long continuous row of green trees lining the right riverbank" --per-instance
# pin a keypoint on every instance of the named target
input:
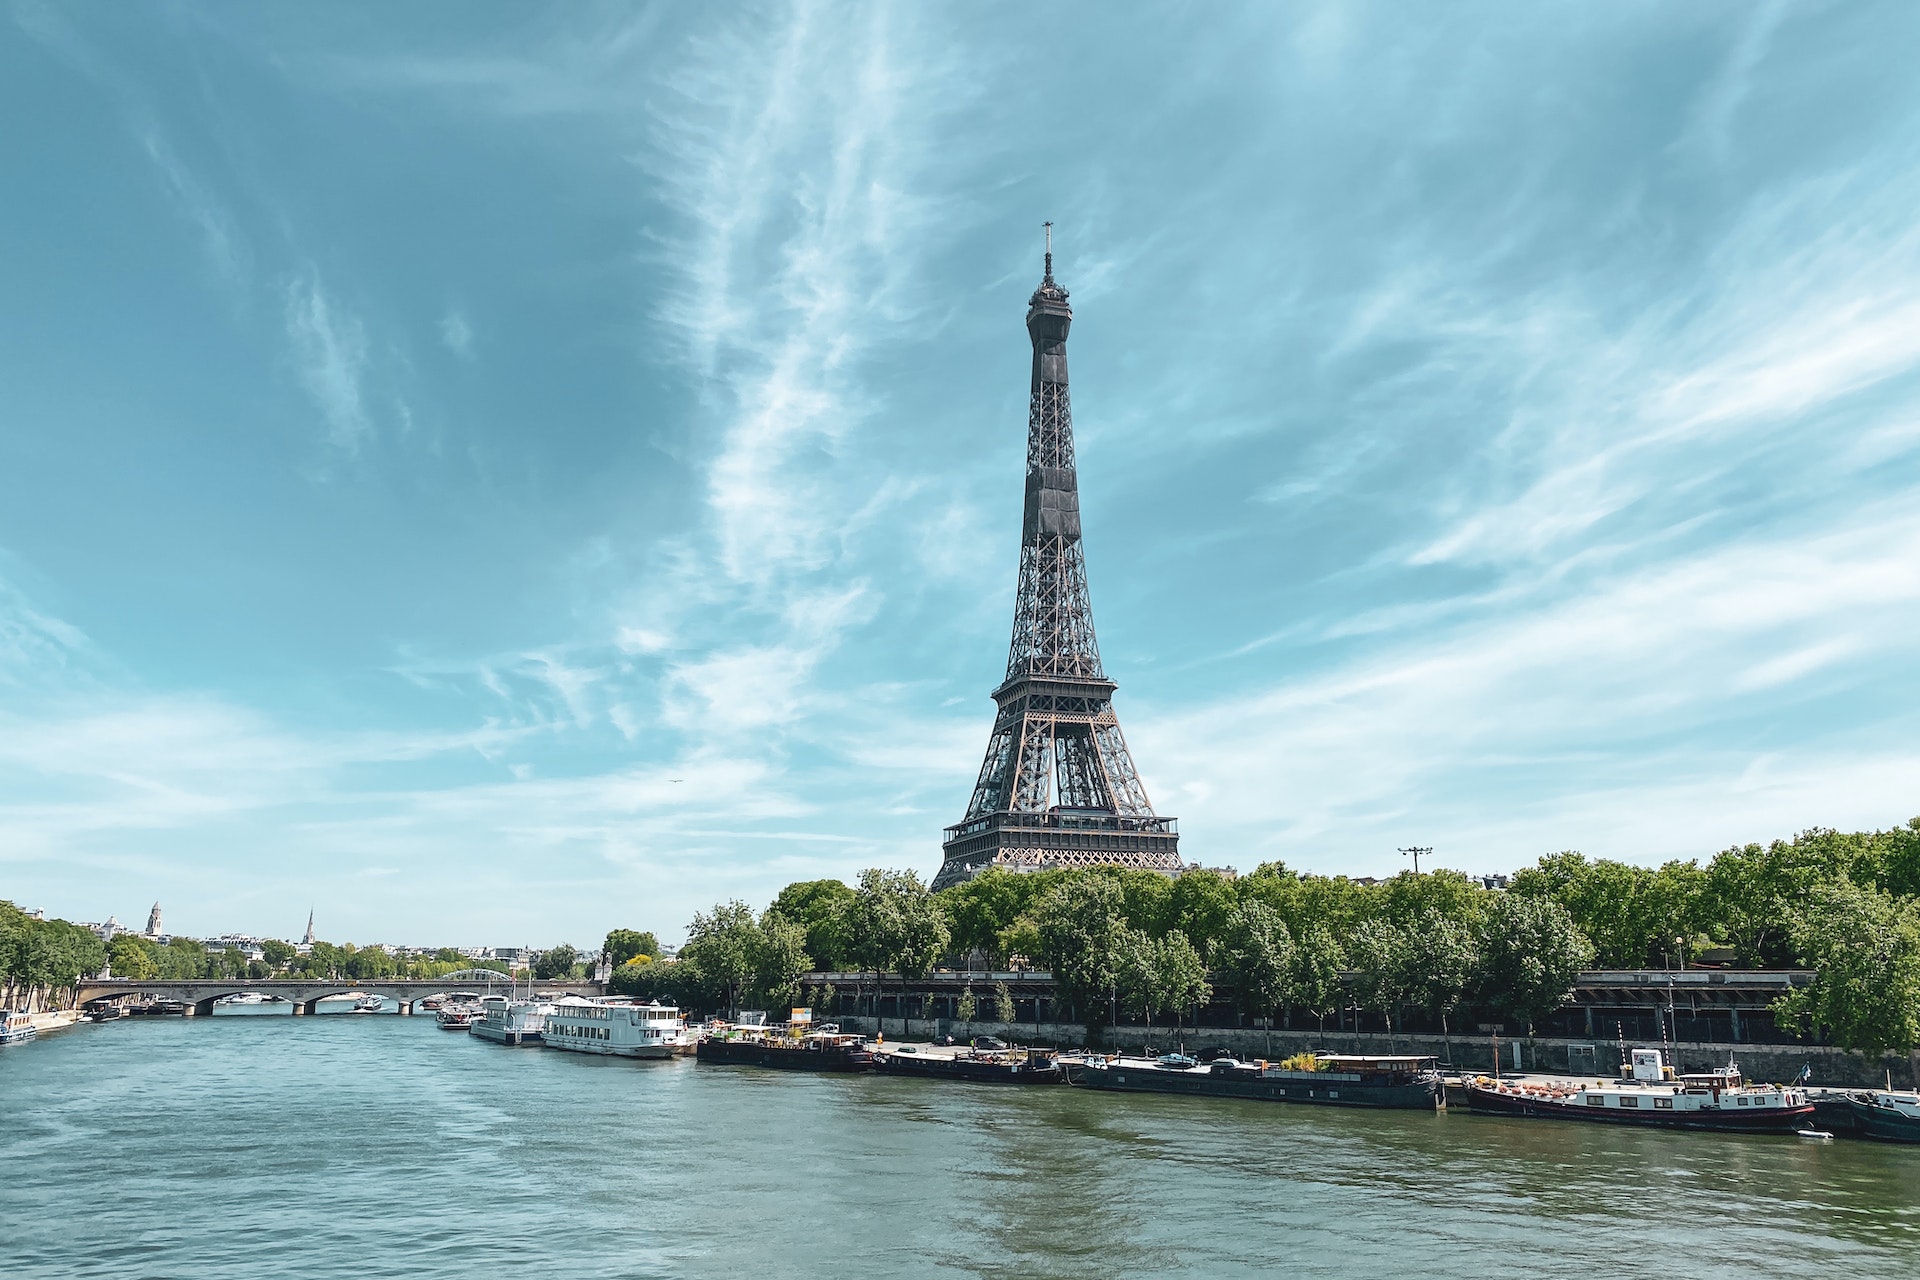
(1145, 945)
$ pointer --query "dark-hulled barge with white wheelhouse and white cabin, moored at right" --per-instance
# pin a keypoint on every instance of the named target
(1652, 1097)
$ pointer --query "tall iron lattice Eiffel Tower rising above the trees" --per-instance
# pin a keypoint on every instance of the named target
(1059, 788)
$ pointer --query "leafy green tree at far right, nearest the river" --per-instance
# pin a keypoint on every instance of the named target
(1865, 951)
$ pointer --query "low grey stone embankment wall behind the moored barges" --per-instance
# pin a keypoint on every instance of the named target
(1472, 1053)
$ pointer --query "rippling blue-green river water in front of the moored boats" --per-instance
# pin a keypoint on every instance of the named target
(385, 1147)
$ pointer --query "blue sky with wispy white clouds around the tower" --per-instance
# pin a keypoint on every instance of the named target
(498, 473)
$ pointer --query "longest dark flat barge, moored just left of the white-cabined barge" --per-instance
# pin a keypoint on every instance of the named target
(1410, 1083)
